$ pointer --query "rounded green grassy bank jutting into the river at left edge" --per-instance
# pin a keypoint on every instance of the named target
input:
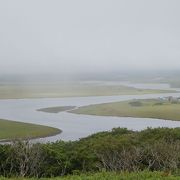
(10, 130)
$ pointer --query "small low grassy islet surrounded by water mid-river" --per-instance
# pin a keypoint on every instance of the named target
(56, 109)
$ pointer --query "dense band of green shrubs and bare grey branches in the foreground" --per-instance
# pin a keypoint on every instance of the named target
(118, 150)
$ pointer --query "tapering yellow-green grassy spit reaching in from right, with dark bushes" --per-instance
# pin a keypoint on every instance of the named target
(152, 108)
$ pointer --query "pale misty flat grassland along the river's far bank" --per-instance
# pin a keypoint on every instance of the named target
(20, 91)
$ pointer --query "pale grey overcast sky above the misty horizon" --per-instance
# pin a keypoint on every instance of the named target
(88, 35)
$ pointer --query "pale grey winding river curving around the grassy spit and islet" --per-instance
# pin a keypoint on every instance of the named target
(76, 126)
